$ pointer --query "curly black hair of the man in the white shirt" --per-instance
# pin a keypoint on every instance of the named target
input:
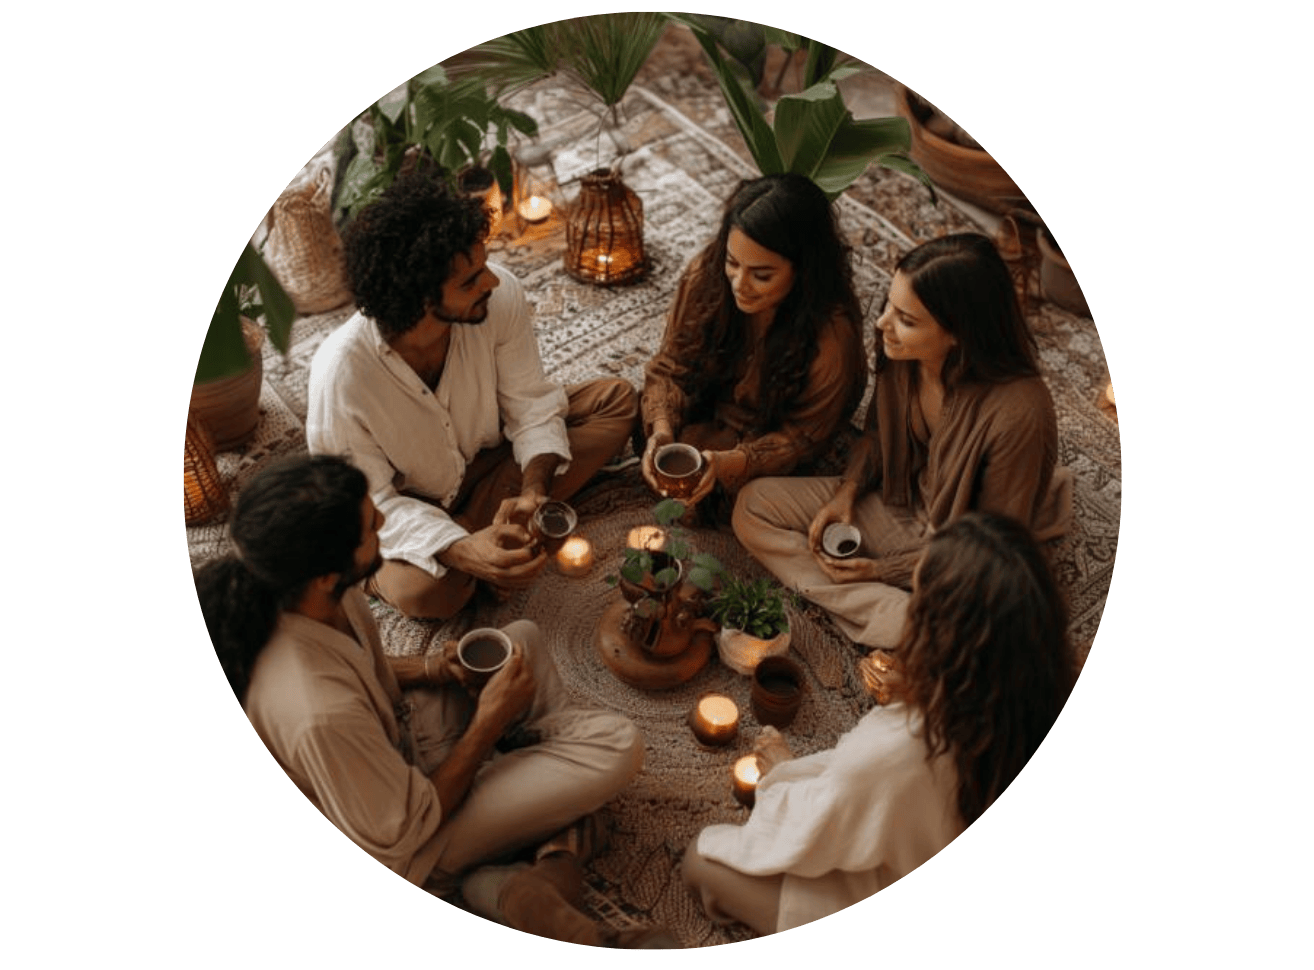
(400, 249)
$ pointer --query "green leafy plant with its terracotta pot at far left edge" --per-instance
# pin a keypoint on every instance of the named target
(227, 384)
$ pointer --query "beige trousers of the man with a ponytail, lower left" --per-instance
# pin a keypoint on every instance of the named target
(524, 797)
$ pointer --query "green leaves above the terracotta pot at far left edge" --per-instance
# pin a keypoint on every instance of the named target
(252, 291)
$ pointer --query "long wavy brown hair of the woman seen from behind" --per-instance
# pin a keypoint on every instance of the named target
(986, 653)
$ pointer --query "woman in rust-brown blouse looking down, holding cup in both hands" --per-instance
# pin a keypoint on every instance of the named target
(763, 358)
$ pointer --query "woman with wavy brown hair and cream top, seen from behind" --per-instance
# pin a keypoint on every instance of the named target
(986, 668)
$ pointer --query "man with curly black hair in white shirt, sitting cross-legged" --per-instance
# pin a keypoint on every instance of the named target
(436, 390)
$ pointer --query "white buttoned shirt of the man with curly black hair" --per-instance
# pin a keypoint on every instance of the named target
(367, 405)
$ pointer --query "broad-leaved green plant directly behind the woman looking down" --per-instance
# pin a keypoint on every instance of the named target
(813, 133)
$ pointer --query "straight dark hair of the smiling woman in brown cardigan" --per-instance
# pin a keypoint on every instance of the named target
(965, 285)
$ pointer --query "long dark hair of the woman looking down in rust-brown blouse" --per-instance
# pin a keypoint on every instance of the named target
(792, 218)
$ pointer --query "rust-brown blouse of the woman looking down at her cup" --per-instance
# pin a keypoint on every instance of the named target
(835, 384)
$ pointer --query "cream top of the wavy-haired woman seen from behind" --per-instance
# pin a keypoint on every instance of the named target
(846, 823)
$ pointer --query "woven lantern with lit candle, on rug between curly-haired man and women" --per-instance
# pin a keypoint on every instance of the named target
(605, 233)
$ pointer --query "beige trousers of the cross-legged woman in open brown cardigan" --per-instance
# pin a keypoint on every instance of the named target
(772, 521)
